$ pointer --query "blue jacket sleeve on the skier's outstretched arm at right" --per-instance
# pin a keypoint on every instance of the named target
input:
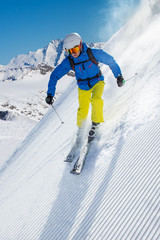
(107, 59)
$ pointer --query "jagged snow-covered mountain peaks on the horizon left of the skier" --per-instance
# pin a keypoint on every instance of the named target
(42, 60)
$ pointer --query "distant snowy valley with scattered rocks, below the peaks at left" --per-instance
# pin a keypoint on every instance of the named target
(24, 101)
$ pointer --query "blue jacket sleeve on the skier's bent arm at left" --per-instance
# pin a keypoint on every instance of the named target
(63, 68)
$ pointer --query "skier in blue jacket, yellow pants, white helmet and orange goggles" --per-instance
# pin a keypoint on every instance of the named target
(89, 78)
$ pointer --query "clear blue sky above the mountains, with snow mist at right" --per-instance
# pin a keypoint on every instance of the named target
(31, 24)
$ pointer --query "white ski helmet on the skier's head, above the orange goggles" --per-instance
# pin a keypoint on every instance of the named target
(71, 40)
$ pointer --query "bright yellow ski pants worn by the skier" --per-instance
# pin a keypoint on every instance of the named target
(93, 96)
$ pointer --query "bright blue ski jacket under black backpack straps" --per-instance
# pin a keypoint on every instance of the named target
(83, 70)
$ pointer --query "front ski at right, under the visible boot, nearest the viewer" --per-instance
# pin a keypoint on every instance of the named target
(78, 166)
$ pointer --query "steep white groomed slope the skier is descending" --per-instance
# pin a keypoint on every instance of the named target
(116, 196)
